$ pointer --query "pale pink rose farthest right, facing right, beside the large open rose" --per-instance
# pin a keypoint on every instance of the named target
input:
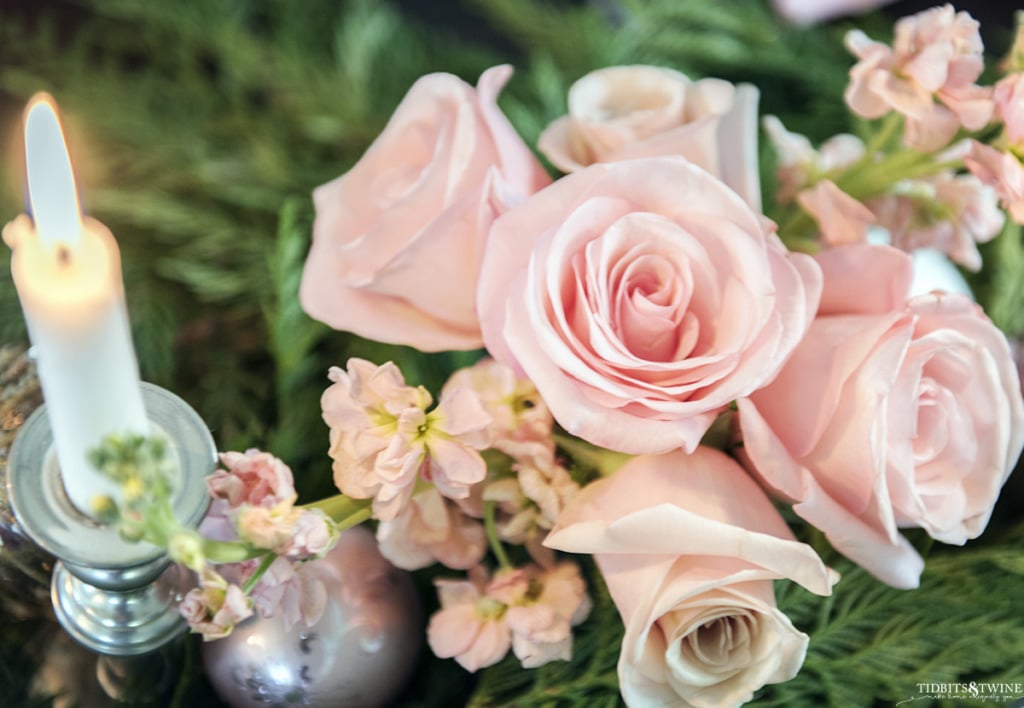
(889, 417)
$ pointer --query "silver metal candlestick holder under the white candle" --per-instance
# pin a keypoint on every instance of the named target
(116, 598)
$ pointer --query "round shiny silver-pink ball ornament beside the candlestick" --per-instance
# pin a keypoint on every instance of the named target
(360, 654)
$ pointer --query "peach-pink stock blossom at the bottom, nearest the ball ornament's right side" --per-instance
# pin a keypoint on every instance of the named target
(468, 628)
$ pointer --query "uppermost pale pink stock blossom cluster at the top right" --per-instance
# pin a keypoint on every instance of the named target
(928, 76)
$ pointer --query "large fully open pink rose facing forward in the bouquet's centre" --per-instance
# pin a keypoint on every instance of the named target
(642, 299)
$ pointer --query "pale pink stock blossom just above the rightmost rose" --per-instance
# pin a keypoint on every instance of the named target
(949, 213)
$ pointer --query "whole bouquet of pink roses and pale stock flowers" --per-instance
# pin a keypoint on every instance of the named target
(704, 382)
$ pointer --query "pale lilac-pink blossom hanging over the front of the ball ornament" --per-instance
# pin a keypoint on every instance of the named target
(295, 592)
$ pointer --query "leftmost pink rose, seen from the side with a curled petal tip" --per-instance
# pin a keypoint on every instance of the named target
(399, 239)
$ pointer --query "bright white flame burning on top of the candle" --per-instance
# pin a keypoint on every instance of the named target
(52, 181)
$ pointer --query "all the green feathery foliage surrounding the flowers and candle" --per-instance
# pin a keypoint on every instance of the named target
(200, 128)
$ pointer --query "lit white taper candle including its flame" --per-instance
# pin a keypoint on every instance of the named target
(68, 274)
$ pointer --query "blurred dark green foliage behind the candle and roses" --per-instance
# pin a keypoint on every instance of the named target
(198, 130)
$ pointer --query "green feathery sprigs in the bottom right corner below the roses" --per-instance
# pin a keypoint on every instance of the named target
(872, 643)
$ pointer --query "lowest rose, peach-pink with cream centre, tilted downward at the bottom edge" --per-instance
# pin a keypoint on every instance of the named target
(690, 547)
